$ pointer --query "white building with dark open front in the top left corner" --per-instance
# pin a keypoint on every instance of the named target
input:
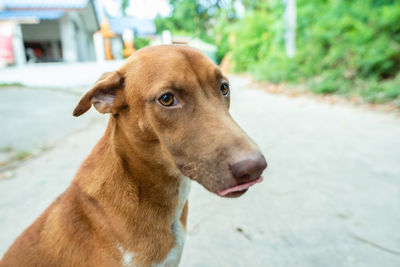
(50, 30)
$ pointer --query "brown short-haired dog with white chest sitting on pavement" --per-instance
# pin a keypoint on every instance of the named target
(127, 205)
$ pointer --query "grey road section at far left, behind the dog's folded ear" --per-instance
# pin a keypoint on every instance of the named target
(32, 118)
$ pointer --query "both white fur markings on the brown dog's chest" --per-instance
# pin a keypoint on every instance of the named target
(174, 255)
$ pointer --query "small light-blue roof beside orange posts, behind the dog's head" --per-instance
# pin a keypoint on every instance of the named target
(140, 26)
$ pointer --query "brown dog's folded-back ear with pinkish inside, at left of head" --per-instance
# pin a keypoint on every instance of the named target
(103, 95)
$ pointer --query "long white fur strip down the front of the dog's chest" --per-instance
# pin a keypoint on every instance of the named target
(174, 255)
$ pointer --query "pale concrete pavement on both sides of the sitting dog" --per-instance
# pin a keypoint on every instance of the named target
(331, 194)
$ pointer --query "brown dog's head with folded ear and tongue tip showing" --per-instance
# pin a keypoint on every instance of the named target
(174, 101)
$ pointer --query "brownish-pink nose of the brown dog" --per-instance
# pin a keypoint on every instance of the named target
(249, 167)
